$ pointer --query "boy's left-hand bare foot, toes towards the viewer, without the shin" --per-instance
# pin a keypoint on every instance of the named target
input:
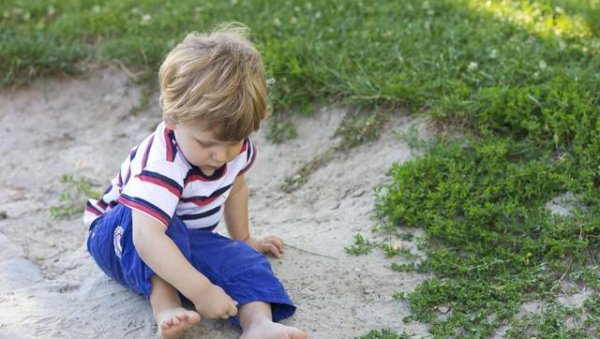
(173, 322)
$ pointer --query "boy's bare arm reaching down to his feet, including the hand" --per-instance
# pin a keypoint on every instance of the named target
(161, 254)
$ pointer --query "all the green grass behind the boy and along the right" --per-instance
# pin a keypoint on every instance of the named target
(520, 79)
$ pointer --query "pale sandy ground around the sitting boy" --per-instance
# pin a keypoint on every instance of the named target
(49, 286)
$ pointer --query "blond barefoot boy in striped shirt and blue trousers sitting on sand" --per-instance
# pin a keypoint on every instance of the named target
(152, 229)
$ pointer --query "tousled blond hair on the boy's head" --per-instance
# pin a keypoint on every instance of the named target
(216, 79)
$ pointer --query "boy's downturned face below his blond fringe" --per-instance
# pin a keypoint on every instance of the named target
(202, 149)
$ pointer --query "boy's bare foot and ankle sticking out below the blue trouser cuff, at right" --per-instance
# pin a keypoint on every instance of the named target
(256, 321)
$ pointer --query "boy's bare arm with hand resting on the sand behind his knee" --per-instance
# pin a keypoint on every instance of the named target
(236, 218)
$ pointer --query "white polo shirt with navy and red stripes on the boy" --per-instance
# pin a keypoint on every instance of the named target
(157, 179)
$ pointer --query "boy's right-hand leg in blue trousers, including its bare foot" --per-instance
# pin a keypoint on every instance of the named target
(247, 277)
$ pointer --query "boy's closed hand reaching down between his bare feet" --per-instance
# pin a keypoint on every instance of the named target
(214, 303)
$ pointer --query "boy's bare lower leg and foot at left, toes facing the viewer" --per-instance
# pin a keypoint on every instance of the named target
(171, 318)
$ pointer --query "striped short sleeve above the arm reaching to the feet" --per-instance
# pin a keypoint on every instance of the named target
(155, 191)
